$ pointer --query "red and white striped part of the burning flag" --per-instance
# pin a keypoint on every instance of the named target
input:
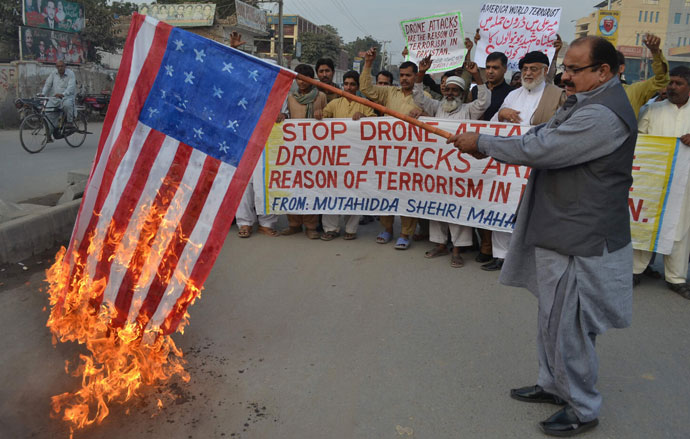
(137, 171)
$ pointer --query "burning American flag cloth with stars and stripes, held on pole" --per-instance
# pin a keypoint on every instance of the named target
(188, 120)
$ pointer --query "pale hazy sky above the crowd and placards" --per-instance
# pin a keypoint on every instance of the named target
(381, 18)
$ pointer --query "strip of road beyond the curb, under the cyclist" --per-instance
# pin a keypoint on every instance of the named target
(24, 176)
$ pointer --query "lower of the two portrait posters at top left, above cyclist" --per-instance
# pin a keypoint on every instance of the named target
(50, 46)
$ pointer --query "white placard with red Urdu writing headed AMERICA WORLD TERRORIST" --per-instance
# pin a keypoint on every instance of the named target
(516, 30)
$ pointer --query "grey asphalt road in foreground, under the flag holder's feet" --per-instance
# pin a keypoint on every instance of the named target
(295, 338)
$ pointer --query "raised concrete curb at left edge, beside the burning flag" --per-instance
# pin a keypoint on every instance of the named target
(23, 237)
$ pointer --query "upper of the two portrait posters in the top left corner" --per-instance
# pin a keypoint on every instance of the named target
(58, 15)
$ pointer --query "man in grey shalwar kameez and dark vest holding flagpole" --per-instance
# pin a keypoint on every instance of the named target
(571, 245)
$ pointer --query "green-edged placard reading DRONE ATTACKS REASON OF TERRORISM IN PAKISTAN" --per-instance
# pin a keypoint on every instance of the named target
(440, 36)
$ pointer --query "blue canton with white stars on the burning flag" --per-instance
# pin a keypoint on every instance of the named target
(208, 96)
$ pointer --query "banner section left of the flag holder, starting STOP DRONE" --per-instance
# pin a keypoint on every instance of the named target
(384, 166)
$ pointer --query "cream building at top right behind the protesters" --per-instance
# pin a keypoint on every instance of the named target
(668, 19)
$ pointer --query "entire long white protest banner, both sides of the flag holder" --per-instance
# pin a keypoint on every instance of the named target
(384, 166)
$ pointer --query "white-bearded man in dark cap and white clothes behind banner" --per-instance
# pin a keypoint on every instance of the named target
(532, 104)
